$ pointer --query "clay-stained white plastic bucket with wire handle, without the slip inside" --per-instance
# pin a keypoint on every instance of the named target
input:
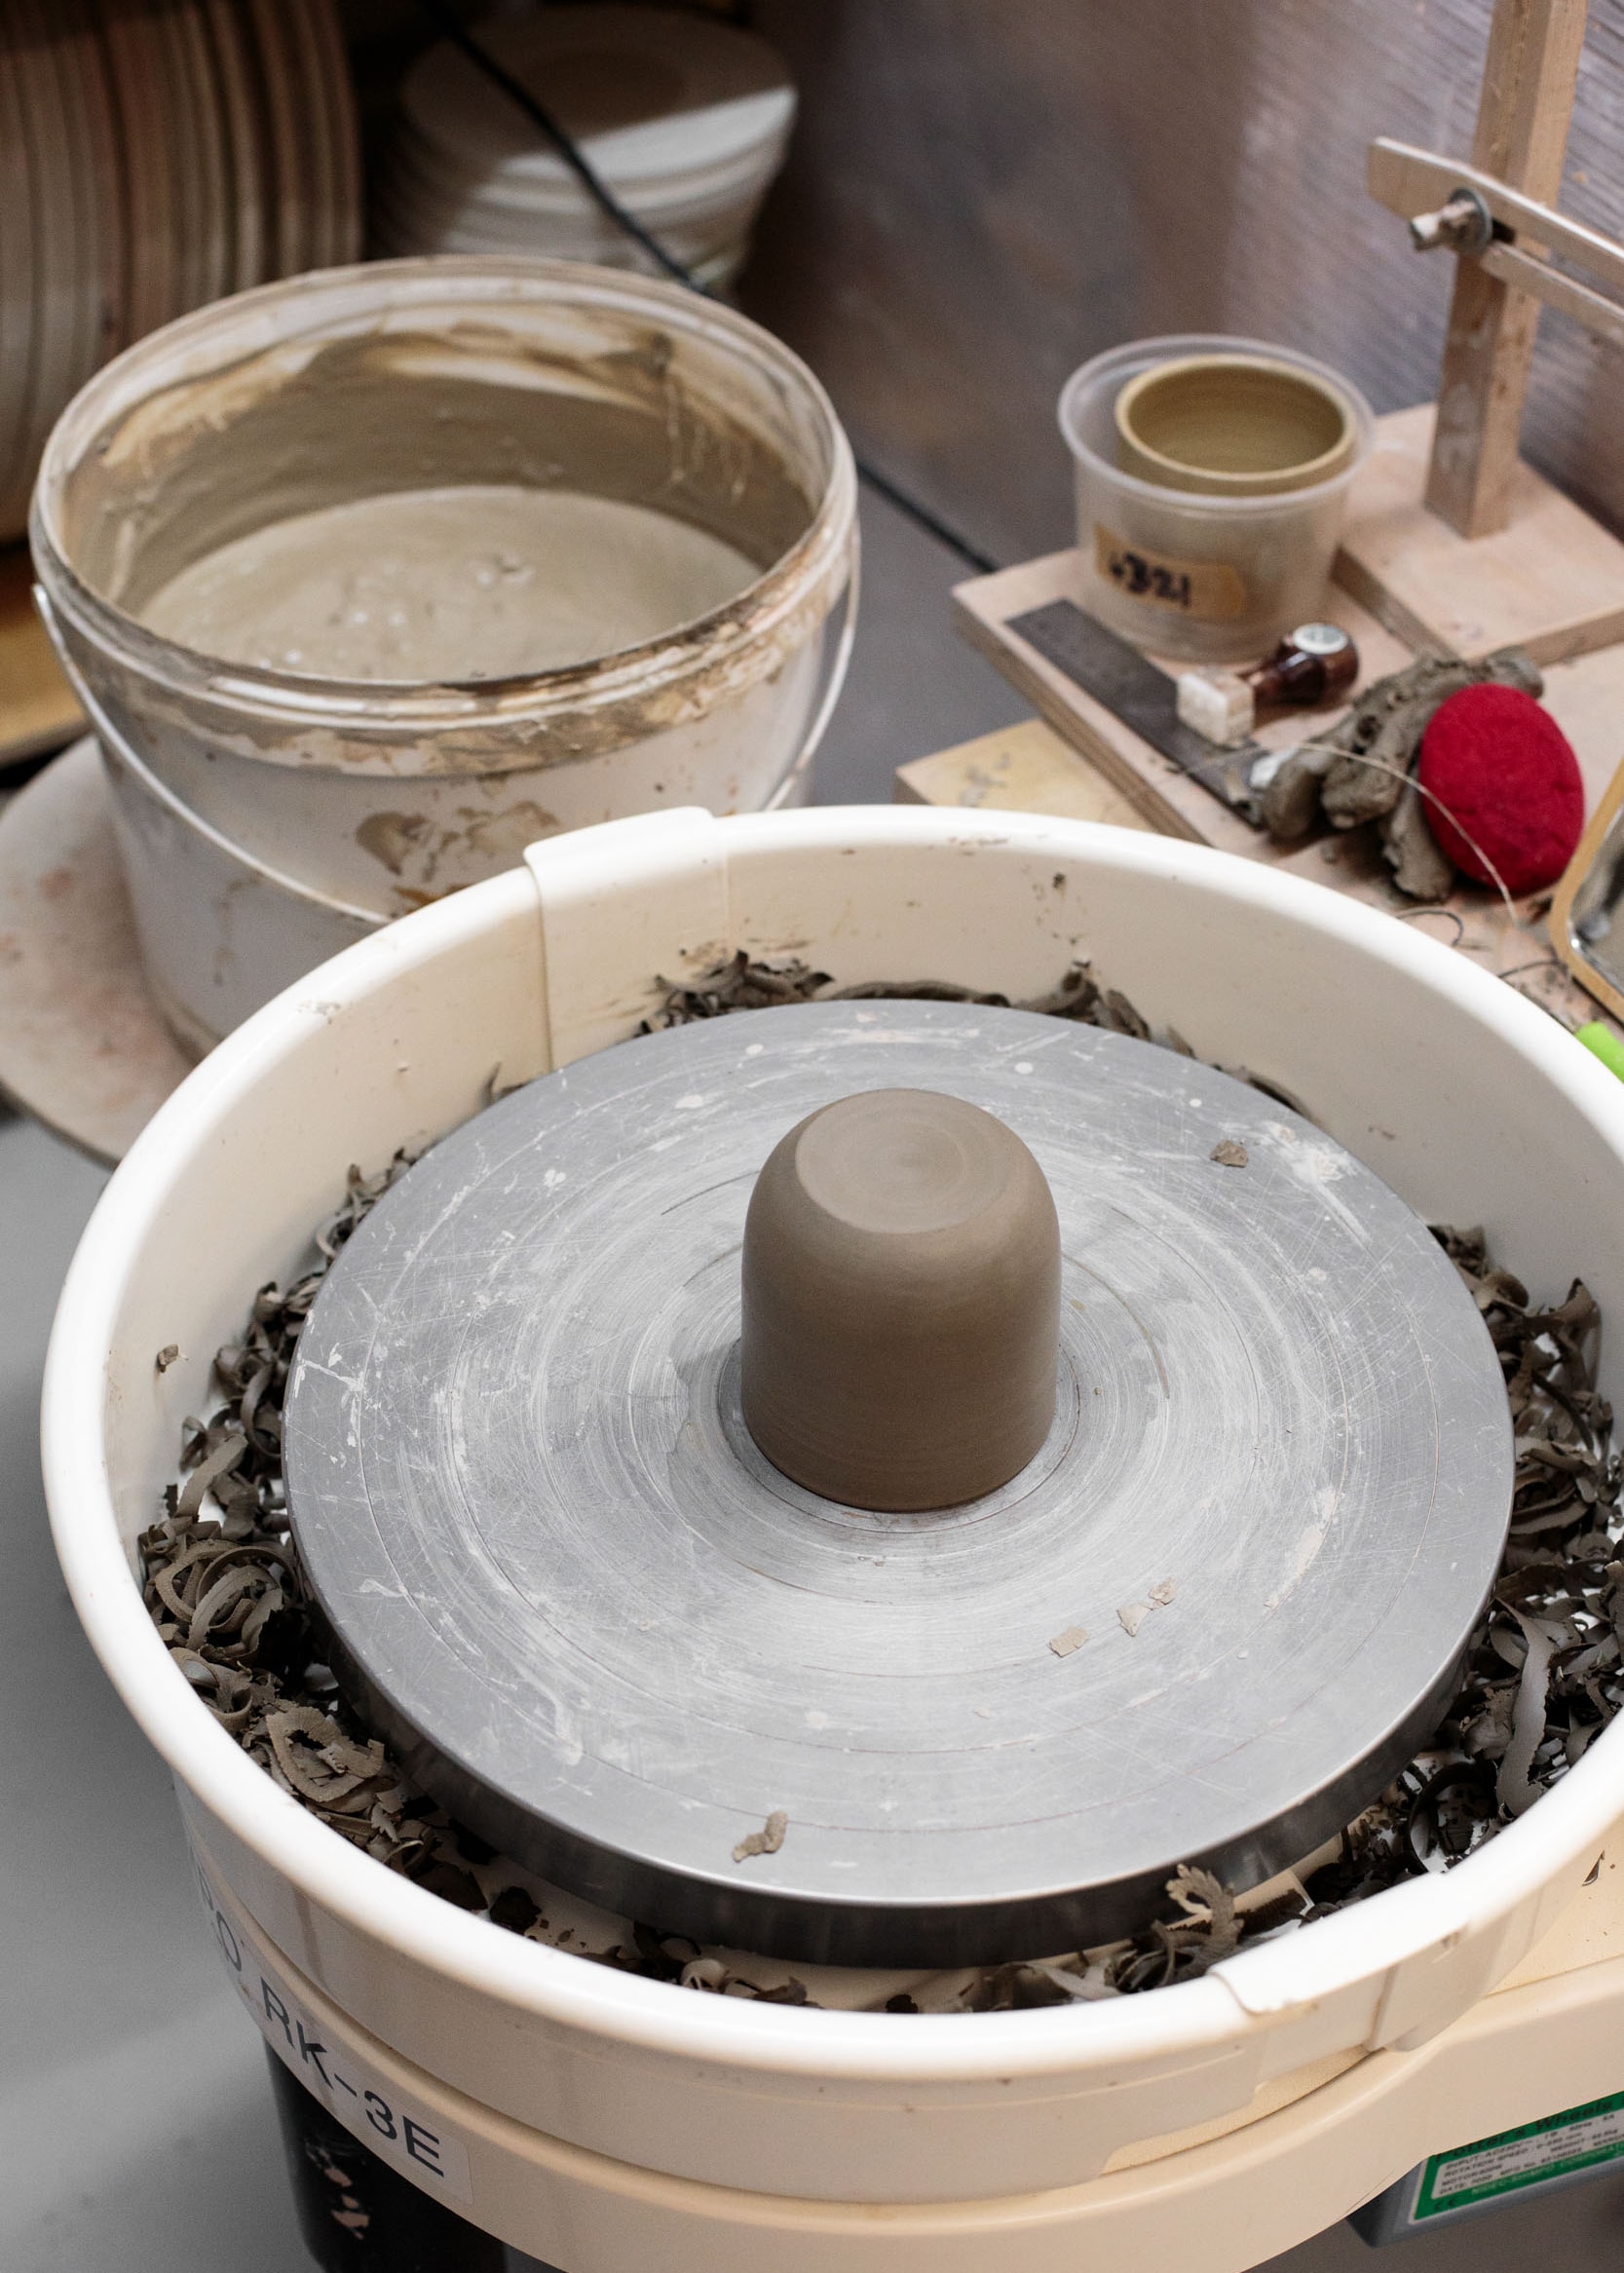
(355, 383)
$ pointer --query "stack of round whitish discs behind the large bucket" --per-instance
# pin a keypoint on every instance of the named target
(685, 119)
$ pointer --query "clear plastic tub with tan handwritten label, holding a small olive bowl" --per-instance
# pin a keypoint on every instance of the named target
(1189, 576)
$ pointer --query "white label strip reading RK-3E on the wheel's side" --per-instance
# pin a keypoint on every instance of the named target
(369, 2106)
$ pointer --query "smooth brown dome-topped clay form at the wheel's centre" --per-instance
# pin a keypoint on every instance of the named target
(901, 1304)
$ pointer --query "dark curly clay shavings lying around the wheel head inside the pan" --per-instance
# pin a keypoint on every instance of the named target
(1543, 1670)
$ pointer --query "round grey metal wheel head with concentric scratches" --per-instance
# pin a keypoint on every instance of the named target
(614, 1640)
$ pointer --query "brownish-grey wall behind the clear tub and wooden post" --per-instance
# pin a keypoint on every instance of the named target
(987, 192)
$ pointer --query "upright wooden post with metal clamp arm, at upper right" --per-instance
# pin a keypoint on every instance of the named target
(1521, 138)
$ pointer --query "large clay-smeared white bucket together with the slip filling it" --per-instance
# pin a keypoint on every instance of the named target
(390, 572)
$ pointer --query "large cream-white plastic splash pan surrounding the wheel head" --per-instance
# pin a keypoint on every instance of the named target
(589, 2088)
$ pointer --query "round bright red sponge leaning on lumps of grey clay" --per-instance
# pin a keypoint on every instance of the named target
(1505, 772)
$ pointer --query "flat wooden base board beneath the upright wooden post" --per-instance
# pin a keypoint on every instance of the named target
(1552, 581)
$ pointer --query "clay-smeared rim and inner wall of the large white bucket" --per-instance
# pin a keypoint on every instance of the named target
(140, 485)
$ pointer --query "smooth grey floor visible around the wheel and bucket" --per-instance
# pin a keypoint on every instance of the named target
(137, 2131)
